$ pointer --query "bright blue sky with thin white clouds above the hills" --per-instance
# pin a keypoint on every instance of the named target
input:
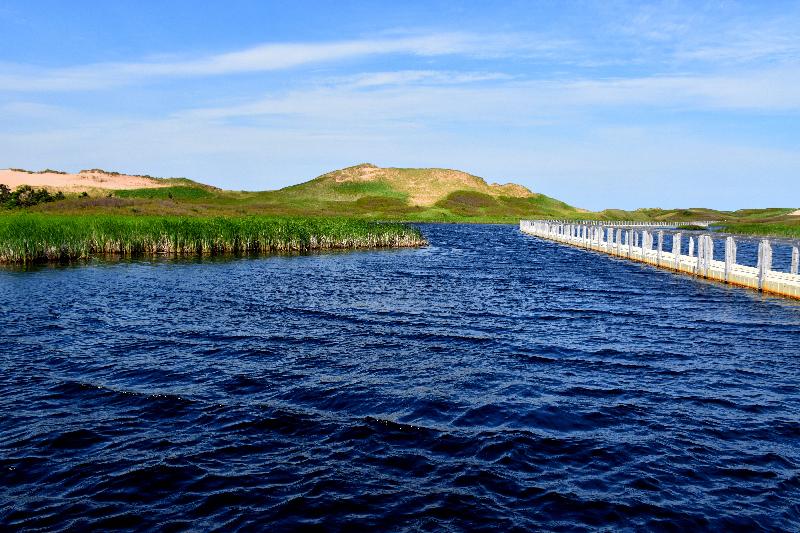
(601, 104)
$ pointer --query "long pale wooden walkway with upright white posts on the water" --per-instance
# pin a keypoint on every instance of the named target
(624, 240)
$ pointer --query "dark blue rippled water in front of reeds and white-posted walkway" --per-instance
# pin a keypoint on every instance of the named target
(492, 380)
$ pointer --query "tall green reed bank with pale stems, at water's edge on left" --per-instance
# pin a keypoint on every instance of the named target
(31, 238)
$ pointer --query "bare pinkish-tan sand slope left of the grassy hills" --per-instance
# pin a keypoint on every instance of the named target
(83, 181)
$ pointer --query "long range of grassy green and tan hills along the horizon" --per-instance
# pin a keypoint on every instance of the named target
(407, 194)
